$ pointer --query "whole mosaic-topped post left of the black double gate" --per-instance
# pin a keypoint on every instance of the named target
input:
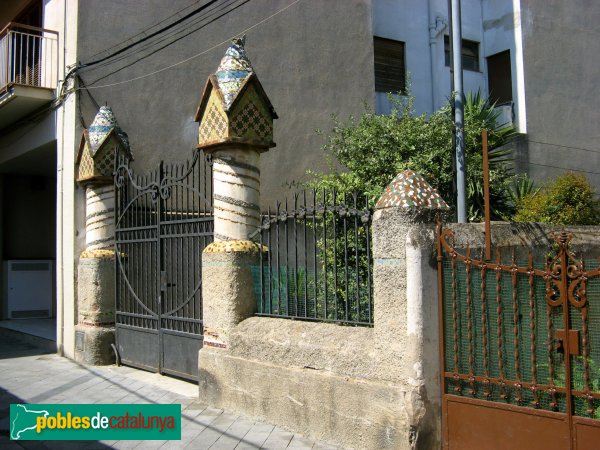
(94, 332)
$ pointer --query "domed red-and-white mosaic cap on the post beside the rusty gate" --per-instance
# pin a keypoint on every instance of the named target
(409, 189)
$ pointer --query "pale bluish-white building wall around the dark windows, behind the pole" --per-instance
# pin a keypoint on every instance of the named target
(489, 22)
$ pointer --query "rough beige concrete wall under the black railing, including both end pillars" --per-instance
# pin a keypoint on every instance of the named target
(358, 387)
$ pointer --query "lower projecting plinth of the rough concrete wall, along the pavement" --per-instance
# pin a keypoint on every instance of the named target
(354, 413)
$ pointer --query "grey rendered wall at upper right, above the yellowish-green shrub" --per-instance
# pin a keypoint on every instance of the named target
(561, 86)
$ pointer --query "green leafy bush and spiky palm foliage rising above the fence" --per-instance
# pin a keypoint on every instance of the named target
(375, 148)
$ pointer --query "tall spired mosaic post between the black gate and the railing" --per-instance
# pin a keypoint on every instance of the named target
(236, 126)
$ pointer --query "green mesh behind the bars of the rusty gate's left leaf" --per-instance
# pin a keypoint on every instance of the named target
(511, 337)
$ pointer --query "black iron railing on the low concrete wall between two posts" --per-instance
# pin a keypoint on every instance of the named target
(316, 259)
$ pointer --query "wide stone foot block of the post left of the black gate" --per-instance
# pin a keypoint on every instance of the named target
(92, 345)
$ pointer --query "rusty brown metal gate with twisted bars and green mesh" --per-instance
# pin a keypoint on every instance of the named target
(520, 348)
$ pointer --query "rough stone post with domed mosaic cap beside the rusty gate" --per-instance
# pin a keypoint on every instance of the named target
(405, 299)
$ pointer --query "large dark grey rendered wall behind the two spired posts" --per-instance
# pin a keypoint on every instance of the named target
(314, 59)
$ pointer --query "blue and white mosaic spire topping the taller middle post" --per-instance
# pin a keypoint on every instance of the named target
(235, 67)
